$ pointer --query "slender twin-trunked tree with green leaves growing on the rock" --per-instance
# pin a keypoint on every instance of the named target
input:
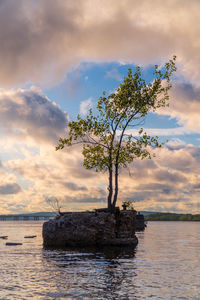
(107, 142)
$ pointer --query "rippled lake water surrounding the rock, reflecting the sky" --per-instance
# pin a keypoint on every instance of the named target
(165, 265)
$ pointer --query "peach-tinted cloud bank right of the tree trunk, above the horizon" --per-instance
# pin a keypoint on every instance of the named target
(167, 184)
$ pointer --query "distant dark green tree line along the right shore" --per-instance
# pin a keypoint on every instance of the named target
(172, 217)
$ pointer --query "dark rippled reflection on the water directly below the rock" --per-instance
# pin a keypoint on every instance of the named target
(95, 273)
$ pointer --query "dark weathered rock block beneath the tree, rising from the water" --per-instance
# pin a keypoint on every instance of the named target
(91, 229)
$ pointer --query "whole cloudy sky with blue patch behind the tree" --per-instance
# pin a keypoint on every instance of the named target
(56, 59)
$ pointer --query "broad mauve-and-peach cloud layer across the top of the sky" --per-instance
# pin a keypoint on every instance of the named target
(41, 40)
